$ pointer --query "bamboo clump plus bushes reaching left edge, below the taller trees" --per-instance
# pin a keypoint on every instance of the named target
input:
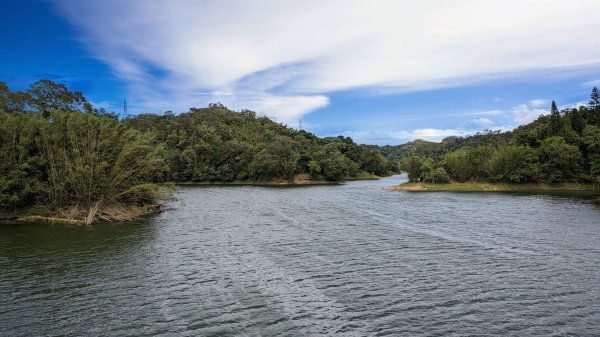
(75, 159)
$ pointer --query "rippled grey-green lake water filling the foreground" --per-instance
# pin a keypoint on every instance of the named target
(348, 260)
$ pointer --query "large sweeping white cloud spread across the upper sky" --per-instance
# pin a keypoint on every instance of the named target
(285, 55)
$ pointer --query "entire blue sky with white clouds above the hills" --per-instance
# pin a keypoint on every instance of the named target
(379, 71)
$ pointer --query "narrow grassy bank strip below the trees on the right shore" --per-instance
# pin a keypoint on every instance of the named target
(491, 187)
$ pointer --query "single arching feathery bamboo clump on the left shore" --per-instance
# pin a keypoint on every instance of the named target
(91, 160)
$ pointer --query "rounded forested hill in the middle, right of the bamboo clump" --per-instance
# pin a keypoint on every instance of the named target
(217, 144)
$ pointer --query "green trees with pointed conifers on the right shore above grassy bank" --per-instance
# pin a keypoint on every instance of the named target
(563, 146)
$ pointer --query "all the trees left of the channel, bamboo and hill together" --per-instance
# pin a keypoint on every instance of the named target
(58, 150)
